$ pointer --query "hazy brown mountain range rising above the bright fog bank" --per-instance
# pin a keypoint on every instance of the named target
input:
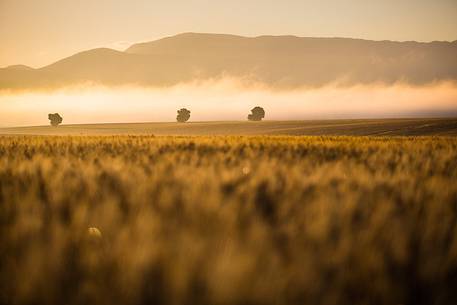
(279, 61)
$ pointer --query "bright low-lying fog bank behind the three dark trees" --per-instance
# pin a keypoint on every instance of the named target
(226, 100)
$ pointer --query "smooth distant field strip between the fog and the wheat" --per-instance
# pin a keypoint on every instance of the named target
(373, 127)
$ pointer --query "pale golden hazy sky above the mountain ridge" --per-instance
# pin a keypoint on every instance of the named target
(38, 32)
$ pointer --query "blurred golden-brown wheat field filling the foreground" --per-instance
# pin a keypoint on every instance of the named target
(228, 220)
